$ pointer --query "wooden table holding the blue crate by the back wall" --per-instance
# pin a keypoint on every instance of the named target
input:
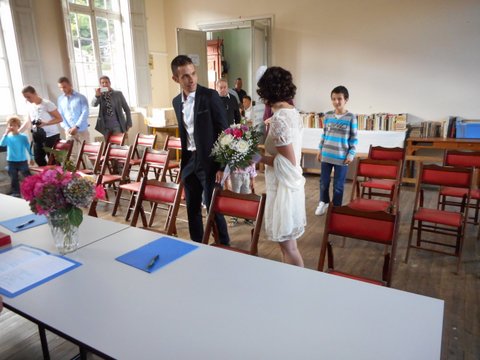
(413, 144)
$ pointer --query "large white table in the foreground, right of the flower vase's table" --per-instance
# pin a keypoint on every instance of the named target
(216, 304)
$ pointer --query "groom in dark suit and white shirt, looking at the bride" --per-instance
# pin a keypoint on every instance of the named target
(201, 118)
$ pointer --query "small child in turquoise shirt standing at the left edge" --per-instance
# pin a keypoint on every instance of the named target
(18, 146)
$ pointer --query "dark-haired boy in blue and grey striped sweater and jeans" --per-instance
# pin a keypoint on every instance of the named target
(336, 149)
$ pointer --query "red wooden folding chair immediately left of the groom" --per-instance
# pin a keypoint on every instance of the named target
(158, 193)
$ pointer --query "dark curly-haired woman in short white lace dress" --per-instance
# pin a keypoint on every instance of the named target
(285, 217)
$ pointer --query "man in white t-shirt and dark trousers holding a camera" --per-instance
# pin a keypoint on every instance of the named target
(42, 119)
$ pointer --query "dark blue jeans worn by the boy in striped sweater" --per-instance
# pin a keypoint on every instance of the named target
(340, 172)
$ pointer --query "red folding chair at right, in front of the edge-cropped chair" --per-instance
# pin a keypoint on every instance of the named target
(433, 220)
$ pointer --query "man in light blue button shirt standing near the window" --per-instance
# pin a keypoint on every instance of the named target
(73, 107)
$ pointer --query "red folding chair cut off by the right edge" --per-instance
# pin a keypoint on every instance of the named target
(450, 196)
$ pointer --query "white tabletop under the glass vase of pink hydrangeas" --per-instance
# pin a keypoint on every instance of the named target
(91, 229)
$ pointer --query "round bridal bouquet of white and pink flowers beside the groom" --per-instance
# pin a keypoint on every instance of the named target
(236, 146)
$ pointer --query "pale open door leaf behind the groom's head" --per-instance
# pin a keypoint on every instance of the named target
(193, 43)
